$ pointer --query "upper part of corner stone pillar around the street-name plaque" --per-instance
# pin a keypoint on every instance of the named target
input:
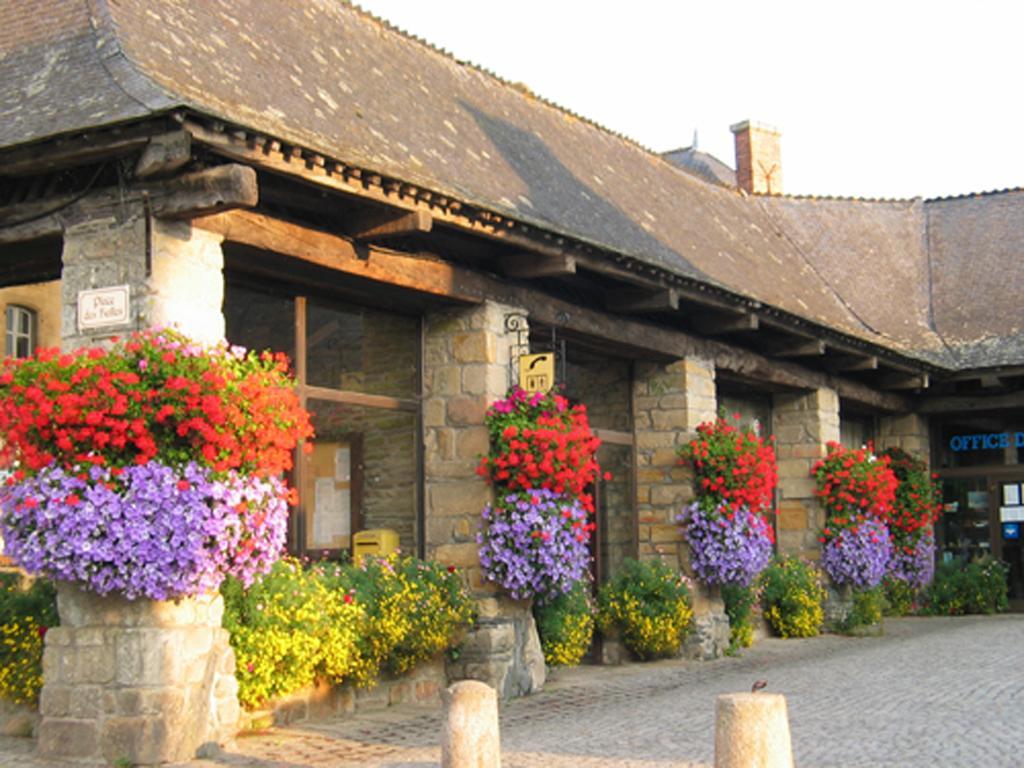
(174, 273)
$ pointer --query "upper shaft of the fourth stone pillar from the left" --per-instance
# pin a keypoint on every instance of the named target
(803, 425)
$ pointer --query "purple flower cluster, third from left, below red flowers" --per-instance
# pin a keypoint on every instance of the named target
(727, 546)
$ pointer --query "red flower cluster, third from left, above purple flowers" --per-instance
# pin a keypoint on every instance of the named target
(733, 467)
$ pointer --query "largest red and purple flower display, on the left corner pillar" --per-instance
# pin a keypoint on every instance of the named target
(151, 468)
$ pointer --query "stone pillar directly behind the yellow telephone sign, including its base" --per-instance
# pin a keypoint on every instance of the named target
(467, 355)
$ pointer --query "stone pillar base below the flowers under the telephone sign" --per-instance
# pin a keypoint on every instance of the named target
(503, 650)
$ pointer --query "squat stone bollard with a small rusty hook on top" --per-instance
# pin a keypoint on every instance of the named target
(752, 731)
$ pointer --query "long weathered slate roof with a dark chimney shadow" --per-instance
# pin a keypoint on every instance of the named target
(333, 79)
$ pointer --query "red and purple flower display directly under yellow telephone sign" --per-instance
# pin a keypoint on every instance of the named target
(543, 462)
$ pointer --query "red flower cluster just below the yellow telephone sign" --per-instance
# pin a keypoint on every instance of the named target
(541, 442)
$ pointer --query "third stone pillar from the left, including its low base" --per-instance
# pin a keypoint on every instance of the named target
(669, 403)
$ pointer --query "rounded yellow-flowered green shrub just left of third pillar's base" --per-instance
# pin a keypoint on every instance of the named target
(650, 606)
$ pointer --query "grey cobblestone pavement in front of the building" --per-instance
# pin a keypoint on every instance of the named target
(931, 693)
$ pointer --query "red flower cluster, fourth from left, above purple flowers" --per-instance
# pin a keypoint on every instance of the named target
(855, 483)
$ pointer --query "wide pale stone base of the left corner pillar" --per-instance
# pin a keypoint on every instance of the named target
(141, 681)
